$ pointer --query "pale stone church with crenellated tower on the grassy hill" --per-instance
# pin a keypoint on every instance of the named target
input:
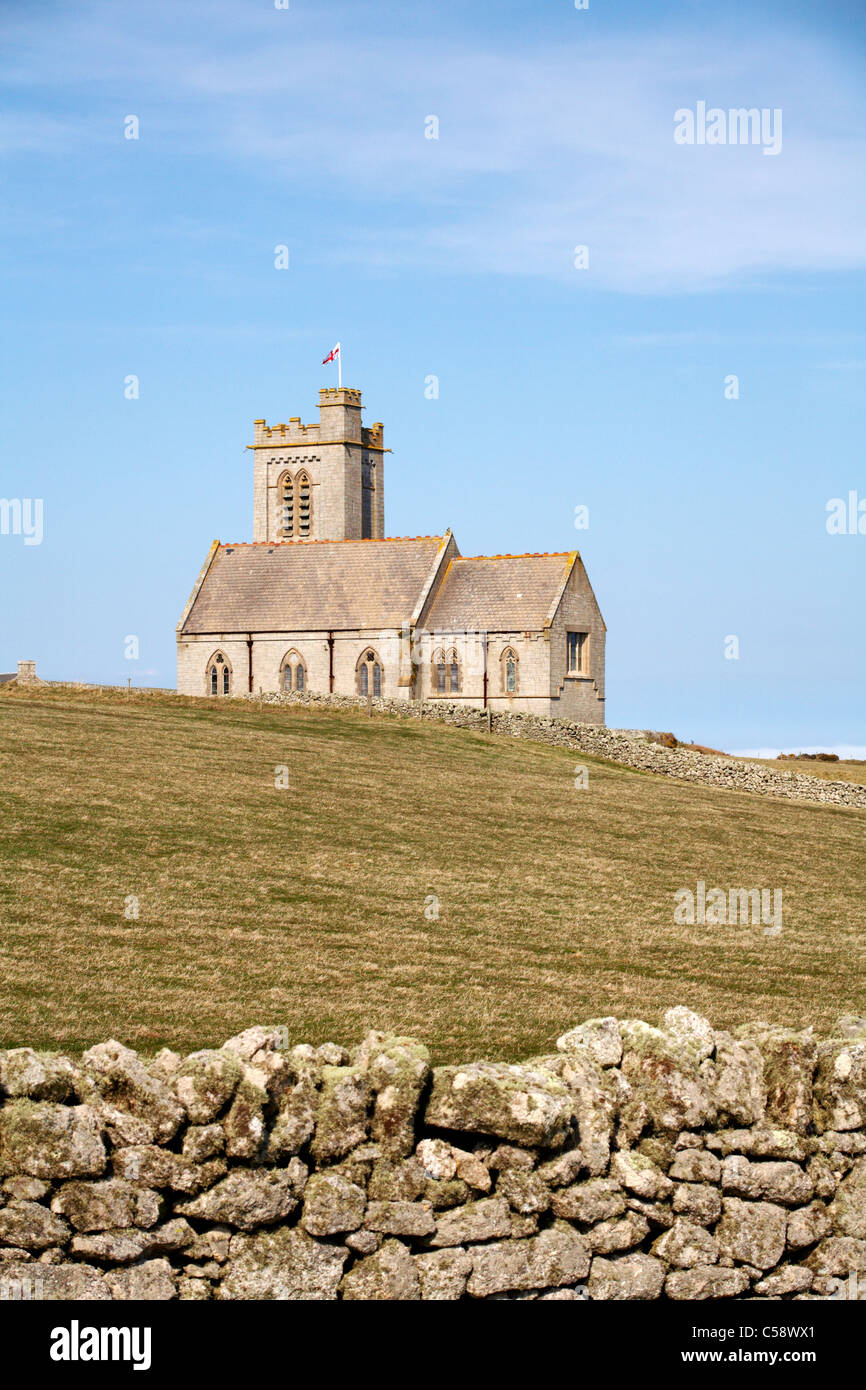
(323, 601)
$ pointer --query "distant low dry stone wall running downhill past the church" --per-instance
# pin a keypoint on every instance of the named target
(629, 747)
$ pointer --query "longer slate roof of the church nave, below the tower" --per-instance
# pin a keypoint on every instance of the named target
(313, 586)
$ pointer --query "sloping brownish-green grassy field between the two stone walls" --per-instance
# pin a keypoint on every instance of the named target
(307, 907)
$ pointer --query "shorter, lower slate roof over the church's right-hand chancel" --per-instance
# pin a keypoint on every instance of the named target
(500, 593)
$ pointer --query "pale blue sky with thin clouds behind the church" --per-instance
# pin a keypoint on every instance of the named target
(558, 386)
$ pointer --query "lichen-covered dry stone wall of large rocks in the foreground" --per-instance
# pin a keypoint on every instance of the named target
(633, 1163)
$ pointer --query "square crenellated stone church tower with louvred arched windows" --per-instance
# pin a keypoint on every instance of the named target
(322, 482)
